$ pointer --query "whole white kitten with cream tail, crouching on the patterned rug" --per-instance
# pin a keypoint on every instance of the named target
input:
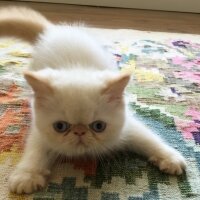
(78, 106)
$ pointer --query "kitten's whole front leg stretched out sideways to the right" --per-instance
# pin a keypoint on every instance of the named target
(145, 142)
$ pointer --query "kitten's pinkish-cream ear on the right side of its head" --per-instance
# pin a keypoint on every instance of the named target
(115, 87)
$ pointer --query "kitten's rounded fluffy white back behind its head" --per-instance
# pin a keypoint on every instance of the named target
(65, 46)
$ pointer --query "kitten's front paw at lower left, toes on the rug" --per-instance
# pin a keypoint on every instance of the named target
(22, 181)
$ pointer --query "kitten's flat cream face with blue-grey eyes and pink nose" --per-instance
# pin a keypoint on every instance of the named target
(80, 118)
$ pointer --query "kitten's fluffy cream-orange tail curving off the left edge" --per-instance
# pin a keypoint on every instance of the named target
(22, 22)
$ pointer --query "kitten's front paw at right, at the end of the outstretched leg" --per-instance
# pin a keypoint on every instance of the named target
(171, 162)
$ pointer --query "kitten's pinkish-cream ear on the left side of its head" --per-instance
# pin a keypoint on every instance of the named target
(40, 85)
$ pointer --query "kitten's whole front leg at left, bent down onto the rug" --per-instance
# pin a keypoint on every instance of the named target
(32, 171)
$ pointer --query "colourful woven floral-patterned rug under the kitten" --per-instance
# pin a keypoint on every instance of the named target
(164, 92)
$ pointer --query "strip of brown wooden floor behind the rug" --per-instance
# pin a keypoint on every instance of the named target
(118, 18)
